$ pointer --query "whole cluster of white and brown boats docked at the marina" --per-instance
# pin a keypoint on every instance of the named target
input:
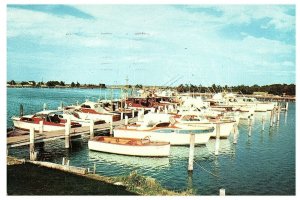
(164, 122)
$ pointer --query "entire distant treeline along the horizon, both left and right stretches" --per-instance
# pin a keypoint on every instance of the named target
(275, 89)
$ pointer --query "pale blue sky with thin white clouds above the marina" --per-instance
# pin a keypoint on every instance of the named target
(152, 44)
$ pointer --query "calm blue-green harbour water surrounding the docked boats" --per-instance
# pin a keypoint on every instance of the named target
(262, 164)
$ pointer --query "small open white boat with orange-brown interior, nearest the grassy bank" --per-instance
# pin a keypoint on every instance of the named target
(129, 146)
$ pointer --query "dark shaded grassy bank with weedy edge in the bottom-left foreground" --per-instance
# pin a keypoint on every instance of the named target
(28, 179)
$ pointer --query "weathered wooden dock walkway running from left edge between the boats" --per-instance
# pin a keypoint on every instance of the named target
(22, 140)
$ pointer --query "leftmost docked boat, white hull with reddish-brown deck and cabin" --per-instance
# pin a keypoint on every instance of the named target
(51, 121)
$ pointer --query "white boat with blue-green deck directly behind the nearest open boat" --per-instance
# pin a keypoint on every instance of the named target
(165, 131)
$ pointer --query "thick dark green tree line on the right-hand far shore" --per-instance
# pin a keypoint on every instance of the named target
(275, 89)
